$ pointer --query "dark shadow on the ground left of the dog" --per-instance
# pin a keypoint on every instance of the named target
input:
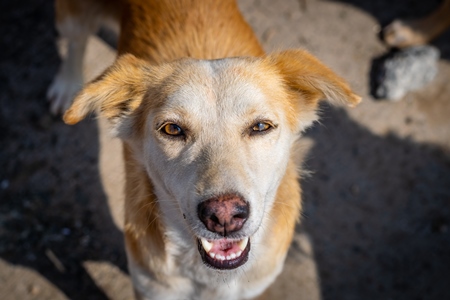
(53, 212)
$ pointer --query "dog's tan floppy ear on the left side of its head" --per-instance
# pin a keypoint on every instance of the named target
(118, 92)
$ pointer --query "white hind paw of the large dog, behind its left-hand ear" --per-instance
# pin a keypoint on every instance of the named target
(61, 92)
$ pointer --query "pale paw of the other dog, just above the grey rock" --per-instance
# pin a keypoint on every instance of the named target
(402, 34)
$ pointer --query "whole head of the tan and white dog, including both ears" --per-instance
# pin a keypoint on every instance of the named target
(214, 136)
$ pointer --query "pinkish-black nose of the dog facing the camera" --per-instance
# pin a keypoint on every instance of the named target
(224, 214)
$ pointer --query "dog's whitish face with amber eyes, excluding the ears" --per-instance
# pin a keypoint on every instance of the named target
(216, 145)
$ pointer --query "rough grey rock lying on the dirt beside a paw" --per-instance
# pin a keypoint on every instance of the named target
(404, 70)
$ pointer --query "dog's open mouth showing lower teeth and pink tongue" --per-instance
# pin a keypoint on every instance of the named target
(224, 254)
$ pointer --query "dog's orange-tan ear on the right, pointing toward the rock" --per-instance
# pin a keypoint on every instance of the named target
(311, 81)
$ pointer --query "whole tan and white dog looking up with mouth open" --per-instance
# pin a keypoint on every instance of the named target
(209, 123)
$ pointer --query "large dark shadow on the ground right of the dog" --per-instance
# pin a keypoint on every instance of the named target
(378, 212)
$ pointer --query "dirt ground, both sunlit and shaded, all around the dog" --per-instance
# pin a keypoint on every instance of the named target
(376, 198)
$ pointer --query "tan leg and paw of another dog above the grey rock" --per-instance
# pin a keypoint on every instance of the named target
(406, 33)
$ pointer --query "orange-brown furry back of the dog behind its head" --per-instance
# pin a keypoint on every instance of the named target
(204, 30)
